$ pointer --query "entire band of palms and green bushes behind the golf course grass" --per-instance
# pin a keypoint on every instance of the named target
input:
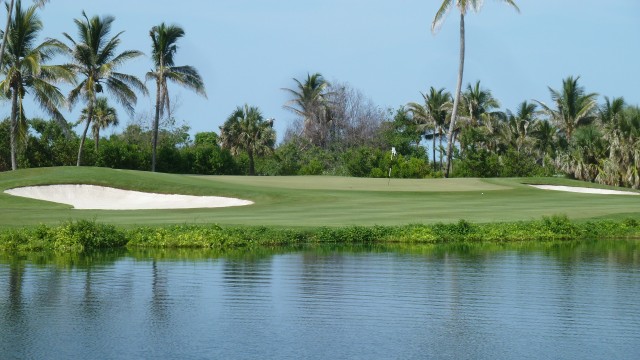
(339, 131)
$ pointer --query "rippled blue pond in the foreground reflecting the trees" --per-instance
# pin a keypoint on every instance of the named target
(521, 301)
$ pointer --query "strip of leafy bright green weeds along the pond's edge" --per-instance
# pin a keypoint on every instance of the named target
(85, 235)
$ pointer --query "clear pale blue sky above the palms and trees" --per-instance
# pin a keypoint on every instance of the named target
(247, 50)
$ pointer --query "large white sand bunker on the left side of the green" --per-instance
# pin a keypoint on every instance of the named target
(105, 198)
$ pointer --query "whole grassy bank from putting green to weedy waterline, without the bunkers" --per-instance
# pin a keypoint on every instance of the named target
(310, 210)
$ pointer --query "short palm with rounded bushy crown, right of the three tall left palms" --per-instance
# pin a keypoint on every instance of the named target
(246, 130)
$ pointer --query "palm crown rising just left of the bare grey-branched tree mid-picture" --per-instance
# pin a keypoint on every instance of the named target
(311, 104)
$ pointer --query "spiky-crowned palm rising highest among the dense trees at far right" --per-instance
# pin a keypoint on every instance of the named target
(573, 107)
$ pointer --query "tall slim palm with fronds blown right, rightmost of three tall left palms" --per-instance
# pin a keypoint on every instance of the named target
(164, 39)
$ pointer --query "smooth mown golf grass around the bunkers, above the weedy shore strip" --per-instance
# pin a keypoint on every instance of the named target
(311, 201)
